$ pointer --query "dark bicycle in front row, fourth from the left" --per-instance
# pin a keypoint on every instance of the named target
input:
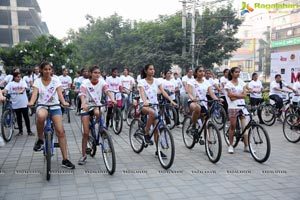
(212, 138)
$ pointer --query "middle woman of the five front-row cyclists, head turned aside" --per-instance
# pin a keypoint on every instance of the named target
(148, 88)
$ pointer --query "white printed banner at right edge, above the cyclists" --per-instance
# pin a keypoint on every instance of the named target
(287, 64)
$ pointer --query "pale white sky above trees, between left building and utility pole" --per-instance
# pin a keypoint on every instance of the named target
(62, 15)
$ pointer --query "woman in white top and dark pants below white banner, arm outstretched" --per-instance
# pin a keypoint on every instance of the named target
(276, 92)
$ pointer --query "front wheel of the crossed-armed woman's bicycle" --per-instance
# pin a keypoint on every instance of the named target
(259, 143)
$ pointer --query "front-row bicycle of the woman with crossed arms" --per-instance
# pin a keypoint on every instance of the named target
(257, 135)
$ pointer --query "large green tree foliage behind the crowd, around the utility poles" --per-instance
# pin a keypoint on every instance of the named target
(115, 42)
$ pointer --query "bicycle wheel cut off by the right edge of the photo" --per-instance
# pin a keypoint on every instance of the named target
(291, 128)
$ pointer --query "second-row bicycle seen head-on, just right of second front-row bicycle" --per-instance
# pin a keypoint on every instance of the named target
(116, 117)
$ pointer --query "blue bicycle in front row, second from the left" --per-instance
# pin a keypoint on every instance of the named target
(100, 137)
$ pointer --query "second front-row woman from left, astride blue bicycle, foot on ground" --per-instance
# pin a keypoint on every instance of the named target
(90, 95)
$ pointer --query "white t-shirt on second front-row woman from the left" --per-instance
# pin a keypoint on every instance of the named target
(97, 90)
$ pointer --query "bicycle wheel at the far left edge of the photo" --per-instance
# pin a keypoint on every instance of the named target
(7, 127)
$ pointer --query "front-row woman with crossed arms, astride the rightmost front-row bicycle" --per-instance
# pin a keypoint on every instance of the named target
(236, 93)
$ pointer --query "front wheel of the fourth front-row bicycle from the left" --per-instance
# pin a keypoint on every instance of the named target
(213, 143)
